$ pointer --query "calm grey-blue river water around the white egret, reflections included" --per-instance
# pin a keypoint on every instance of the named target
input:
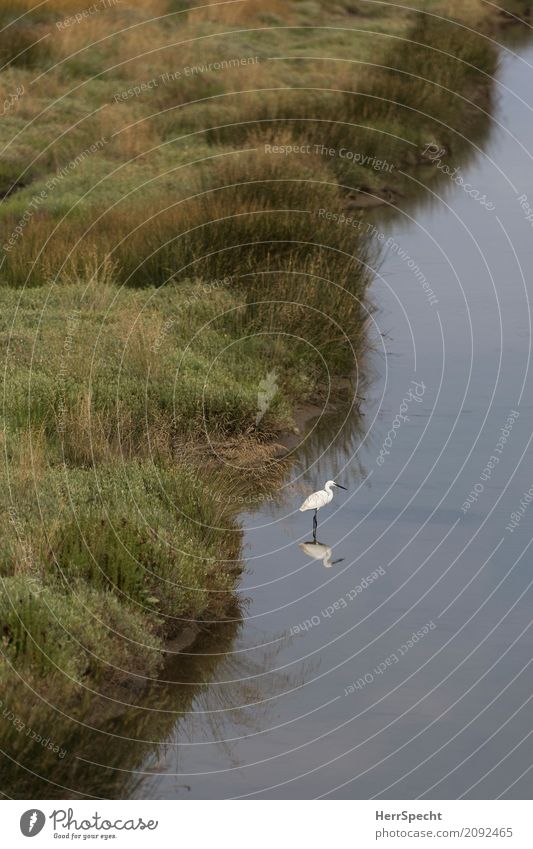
(322, 690)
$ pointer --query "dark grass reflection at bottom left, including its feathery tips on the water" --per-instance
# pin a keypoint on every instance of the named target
(112, 735)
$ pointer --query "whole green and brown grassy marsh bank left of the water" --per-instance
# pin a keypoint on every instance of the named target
(150, 284)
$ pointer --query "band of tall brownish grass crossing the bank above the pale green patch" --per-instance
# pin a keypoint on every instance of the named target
(150, 242)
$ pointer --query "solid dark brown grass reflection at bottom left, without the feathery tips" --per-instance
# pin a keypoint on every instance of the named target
(104, 731)
